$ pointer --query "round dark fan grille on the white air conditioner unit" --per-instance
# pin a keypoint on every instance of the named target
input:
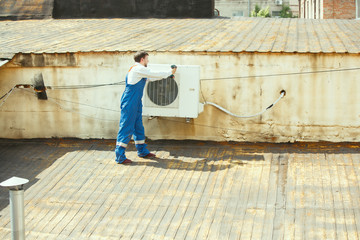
(163, 92)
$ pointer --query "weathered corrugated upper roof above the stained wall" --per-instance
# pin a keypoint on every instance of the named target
(211, 35)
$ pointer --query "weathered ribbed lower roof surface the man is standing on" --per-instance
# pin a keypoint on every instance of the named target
(194, 190)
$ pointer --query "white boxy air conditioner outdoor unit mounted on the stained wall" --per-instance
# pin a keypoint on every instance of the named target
(173, 97)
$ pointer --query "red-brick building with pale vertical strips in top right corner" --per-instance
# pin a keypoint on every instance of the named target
(330, 9)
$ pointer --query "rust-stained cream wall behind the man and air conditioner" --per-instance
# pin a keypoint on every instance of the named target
(321, 102)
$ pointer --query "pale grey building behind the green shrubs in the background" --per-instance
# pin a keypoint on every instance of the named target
(243, 8)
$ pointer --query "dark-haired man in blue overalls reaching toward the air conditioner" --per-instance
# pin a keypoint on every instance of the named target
(131, 108)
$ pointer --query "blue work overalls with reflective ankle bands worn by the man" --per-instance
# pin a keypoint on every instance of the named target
(131, 121)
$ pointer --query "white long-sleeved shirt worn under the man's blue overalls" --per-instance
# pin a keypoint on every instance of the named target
(138, 71)
